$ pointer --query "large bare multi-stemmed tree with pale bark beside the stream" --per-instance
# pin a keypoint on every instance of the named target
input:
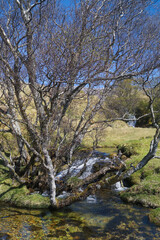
(51, 58)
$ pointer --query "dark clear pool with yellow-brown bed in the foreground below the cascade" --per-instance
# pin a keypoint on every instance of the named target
(105, 217)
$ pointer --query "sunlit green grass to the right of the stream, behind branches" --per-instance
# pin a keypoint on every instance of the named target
(145, 183)
